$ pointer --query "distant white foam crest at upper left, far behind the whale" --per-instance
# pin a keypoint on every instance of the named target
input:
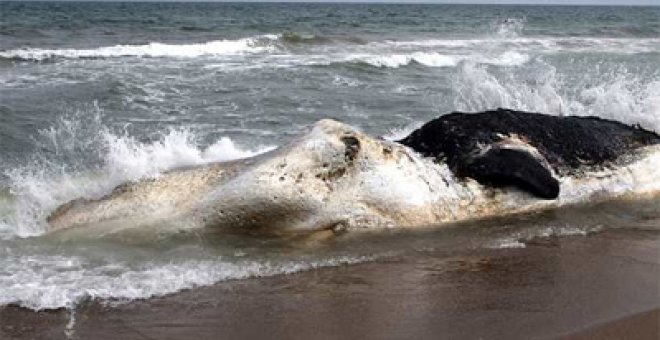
(258, 44)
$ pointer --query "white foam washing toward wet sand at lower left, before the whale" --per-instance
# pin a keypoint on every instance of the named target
(47, 282)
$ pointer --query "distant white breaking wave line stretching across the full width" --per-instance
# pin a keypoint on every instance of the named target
(387, 53)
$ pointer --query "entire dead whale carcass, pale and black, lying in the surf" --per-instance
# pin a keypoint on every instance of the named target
(457, 167)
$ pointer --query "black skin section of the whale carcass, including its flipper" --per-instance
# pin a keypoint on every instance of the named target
(568, 144)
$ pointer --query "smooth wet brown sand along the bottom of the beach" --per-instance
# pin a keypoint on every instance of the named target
(603, 286)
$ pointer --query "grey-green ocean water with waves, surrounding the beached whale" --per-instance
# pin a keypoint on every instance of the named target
(96, 94)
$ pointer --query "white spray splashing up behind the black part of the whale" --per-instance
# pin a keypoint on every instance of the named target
(624, 97)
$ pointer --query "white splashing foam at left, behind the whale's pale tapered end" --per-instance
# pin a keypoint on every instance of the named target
(44, 184)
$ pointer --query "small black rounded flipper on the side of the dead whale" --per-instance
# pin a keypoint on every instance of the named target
(500, 167)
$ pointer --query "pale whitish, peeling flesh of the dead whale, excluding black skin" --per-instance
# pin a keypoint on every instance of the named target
(312, 184)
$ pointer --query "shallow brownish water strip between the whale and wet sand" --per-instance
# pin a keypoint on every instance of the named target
(66, 268)
